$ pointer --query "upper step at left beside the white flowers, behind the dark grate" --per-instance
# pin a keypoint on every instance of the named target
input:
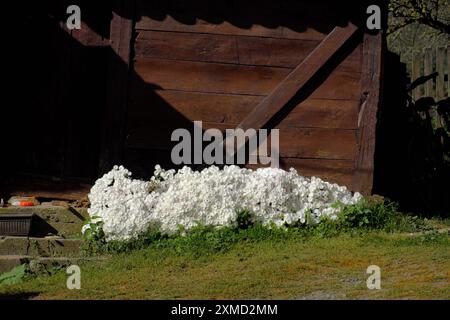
(54, 220)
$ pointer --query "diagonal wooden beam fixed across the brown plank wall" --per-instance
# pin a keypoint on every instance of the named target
(297, 79)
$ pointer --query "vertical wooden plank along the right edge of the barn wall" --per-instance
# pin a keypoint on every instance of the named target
(371, 99)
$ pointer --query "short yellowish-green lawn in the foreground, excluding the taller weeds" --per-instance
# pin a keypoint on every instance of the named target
(412, 267)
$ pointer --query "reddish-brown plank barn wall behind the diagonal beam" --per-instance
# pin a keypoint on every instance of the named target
(193, 64)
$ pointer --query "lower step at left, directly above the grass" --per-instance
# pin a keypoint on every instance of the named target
(39, 247)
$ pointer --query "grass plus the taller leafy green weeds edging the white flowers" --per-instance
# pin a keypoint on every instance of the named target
(325, 261)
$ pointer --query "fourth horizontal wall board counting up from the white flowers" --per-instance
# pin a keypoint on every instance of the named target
(235, 79)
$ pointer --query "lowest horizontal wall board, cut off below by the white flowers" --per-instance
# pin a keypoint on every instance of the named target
(335, 171)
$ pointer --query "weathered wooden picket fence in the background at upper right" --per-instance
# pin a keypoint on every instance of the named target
(432, 61)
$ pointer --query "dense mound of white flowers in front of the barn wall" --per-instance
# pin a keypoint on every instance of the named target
(212, 197)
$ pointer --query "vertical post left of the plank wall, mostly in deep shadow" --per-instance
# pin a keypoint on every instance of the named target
(111, 150)
